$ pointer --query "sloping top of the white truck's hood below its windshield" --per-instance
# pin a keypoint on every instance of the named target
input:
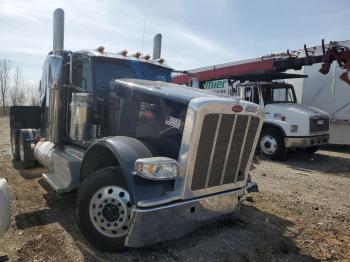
(294, 108)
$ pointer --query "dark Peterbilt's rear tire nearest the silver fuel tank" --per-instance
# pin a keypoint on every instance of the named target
(26, 153)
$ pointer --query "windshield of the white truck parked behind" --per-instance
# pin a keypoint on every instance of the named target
(278, 94)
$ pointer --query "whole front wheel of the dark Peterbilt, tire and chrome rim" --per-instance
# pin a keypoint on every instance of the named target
(103, 209)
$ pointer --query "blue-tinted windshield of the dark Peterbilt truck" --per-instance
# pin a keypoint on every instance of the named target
(109, 69)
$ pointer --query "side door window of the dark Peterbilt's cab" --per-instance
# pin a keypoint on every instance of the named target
(81, 72)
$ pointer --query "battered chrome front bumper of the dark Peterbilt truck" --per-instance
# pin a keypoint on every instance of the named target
(153, 225)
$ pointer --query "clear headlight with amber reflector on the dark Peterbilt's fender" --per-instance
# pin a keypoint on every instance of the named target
(157, 168)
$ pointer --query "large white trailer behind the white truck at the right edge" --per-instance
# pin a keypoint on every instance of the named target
(329, 93)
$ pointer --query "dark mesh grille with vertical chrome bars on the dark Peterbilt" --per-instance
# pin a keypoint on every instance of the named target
(225, 145)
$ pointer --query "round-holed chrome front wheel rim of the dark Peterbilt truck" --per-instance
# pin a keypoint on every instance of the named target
(110, 211)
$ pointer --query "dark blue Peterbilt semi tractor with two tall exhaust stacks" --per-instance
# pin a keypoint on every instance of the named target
(150, 160)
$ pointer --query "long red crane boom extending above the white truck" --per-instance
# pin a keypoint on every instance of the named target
(272, 66)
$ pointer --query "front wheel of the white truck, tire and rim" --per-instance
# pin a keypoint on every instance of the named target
(271, 144)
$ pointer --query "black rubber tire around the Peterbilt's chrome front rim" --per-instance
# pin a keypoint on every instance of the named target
(106, 177)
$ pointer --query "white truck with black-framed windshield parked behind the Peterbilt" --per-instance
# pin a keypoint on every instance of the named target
(287, 123)
